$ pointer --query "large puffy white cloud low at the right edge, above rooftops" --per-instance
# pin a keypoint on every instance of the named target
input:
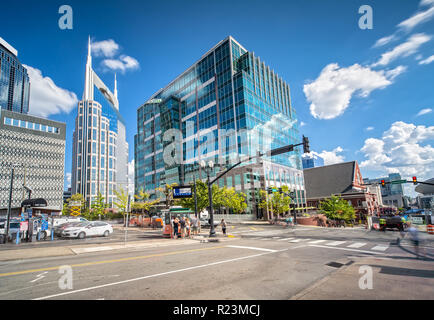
(400, 150)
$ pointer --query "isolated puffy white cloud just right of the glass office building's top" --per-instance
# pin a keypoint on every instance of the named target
(331, 92)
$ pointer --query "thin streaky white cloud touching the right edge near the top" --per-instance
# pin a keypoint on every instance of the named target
(404, 49)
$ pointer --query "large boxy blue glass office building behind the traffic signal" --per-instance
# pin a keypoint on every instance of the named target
(227, 106)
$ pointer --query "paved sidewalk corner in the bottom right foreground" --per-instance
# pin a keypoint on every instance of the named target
(396, 278)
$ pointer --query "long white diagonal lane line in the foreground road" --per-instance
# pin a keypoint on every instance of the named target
(155, 275)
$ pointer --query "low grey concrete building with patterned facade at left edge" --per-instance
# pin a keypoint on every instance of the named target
(35, 147)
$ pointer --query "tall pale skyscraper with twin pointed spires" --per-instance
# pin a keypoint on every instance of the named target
(100, 150)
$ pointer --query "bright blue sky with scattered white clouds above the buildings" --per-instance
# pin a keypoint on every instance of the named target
(357, 100)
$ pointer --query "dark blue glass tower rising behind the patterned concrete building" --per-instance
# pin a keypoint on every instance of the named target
(14, 81)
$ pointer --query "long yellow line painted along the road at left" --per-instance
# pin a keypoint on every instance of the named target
(109, 261)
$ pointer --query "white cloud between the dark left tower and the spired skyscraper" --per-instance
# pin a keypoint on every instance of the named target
(46, 98)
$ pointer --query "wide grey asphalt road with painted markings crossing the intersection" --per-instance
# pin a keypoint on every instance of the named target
(261, 262)
